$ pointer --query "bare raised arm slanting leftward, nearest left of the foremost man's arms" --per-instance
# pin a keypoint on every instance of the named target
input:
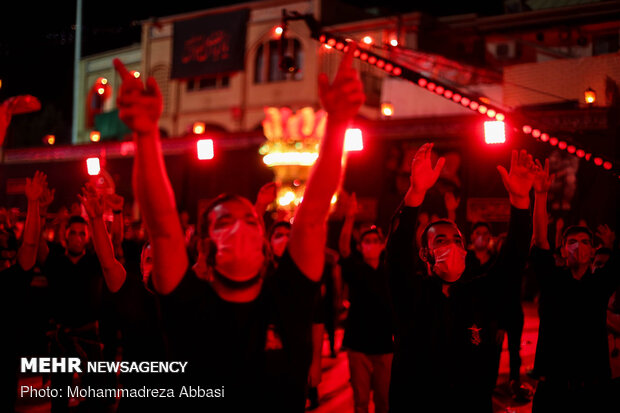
(113, 271)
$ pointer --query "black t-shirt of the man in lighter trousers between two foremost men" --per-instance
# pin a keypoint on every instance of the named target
(369, 327)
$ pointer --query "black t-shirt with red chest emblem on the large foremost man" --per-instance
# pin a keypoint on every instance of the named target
(259, 351)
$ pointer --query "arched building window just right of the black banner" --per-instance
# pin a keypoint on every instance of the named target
(266, 64)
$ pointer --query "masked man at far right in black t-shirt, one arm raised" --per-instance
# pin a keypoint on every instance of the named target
(572, 349)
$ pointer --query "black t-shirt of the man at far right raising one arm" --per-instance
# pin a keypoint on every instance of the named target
(572, 337)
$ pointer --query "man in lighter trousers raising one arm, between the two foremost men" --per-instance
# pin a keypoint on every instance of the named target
(369, 327)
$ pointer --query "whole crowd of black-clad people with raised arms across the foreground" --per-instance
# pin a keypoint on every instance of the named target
(247, 300)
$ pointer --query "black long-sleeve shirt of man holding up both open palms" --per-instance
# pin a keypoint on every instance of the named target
(445, 345)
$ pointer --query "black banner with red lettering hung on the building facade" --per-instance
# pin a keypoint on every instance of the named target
(209, 45)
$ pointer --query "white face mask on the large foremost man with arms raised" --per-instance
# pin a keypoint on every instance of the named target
(239, 255)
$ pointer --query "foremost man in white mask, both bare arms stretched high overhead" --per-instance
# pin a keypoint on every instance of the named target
(228, 320)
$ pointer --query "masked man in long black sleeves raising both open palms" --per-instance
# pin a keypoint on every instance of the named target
(446, 321)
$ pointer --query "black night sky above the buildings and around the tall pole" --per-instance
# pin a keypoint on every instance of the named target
(37, 49)
